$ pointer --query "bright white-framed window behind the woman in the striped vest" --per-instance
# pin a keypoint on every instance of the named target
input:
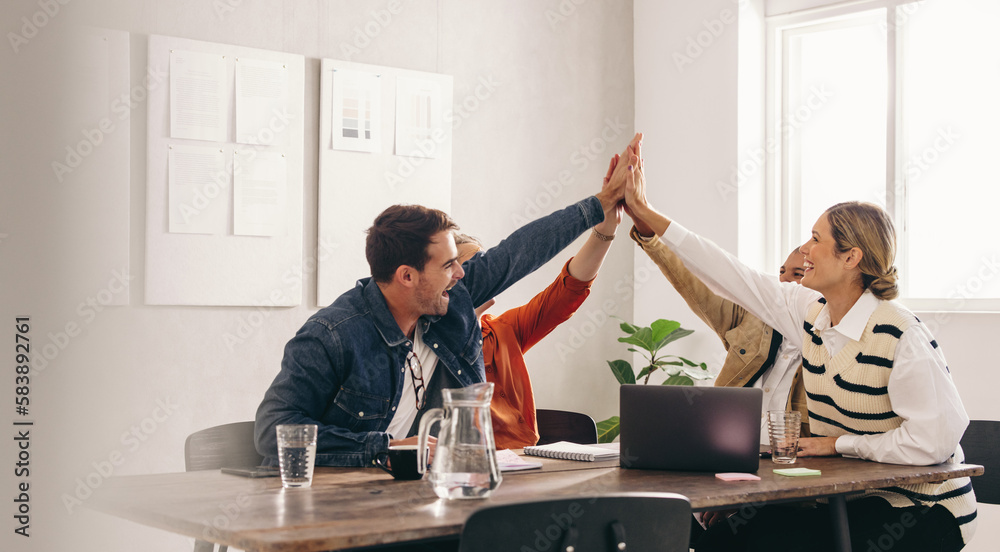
(897, 103)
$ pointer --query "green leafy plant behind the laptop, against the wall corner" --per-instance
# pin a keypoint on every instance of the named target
(649, 340)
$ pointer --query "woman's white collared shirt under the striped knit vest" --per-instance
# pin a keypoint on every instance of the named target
(920, 387)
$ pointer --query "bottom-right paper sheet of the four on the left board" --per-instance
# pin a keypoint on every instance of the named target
(260, 193)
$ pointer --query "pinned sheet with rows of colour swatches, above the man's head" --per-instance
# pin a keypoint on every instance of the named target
(357, 112)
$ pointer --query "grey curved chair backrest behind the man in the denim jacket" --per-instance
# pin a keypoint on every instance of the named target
(221, 446)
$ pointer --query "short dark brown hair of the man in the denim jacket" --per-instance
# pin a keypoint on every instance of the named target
(400, 236)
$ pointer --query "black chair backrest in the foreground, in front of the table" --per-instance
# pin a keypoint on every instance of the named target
(608, 523)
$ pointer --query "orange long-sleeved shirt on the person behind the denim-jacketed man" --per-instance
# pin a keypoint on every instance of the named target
(505, 340)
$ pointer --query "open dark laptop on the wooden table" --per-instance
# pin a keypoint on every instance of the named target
(673, 427)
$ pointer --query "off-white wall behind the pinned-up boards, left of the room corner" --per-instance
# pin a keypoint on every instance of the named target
(543, 87)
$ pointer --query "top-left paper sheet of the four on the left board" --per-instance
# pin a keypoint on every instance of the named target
(199, 96)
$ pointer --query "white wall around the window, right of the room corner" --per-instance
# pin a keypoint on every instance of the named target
(689, 115)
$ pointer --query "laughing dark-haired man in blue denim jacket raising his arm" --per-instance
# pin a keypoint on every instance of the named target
(366, 366)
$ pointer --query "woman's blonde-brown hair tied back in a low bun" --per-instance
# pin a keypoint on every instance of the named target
(869, 228)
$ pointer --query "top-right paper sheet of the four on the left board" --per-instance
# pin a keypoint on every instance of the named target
(262, 115)
